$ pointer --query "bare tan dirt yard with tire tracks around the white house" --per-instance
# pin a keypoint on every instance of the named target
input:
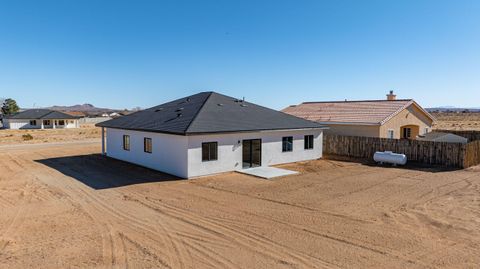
(66, 206)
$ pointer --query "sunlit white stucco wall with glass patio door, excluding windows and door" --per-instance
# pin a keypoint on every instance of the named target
(230, 150)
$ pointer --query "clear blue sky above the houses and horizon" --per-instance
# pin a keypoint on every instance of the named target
(123, 54)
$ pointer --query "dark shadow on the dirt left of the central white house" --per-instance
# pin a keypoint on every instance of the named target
(100, 172)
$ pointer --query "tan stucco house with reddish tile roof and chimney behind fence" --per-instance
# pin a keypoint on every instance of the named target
(389, 118)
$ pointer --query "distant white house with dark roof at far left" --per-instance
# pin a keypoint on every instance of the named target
(40, 119)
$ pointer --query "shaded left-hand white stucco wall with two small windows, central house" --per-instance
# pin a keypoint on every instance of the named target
(169, 152)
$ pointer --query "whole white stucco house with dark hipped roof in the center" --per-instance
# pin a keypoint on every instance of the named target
(210, 133)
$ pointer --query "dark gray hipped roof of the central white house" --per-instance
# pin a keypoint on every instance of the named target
(208, 112)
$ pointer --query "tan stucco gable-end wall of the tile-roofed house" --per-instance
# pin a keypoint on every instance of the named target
(410, 116)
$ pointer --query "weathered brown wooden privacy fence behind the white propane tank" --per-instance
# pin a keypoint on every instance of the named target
(426, 152)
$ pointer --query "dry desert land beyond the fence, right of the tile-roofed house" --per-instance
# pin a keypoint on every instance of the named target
(457, 121)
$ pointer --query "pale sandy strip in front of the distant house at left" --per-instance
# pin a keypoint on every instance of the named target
(87, 131)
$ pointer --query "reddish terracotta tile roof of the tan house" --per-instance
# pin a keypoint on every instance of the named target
(354, 112)
